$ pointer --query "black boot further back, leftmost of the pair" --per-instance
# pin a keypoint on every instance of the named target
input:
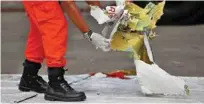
(30, 81)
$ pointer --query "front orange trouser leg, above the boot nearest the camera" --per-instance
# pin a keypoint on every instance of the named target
(52, 25)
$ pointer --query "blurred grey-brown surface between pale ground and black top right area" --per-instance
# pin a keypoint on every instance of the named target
(179, 50)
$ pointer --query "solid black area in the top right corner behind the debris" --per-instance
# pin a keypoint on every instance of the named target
(180, 12)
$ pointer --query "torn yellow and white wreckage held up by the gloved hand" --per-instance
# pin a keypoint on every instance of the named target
(133, 28)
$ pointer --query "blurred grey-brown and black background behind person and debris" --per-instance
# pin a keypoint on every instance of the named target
(178, 49)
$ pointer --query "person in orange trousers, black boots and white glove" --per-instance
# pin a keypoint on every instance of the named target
(47, 40)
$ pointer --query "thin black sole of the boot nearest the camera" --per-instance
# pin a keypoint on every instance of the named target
(54, 98)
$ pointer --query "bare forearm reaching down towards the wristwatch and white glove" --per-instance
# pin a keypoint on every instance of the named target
(74, 14)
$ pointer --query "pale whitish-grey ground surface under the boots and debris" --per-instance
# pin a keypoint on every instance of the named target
(99, 89)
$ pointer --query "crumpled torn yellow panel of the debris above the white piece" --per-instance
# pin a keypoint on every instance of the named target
(131, 36)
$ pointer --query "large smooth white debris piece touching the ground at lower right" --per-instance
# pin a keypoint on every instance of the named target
(154, 80)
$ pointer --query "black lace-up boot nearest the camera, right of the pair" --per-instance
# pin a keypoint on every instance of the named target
(59, 89)
